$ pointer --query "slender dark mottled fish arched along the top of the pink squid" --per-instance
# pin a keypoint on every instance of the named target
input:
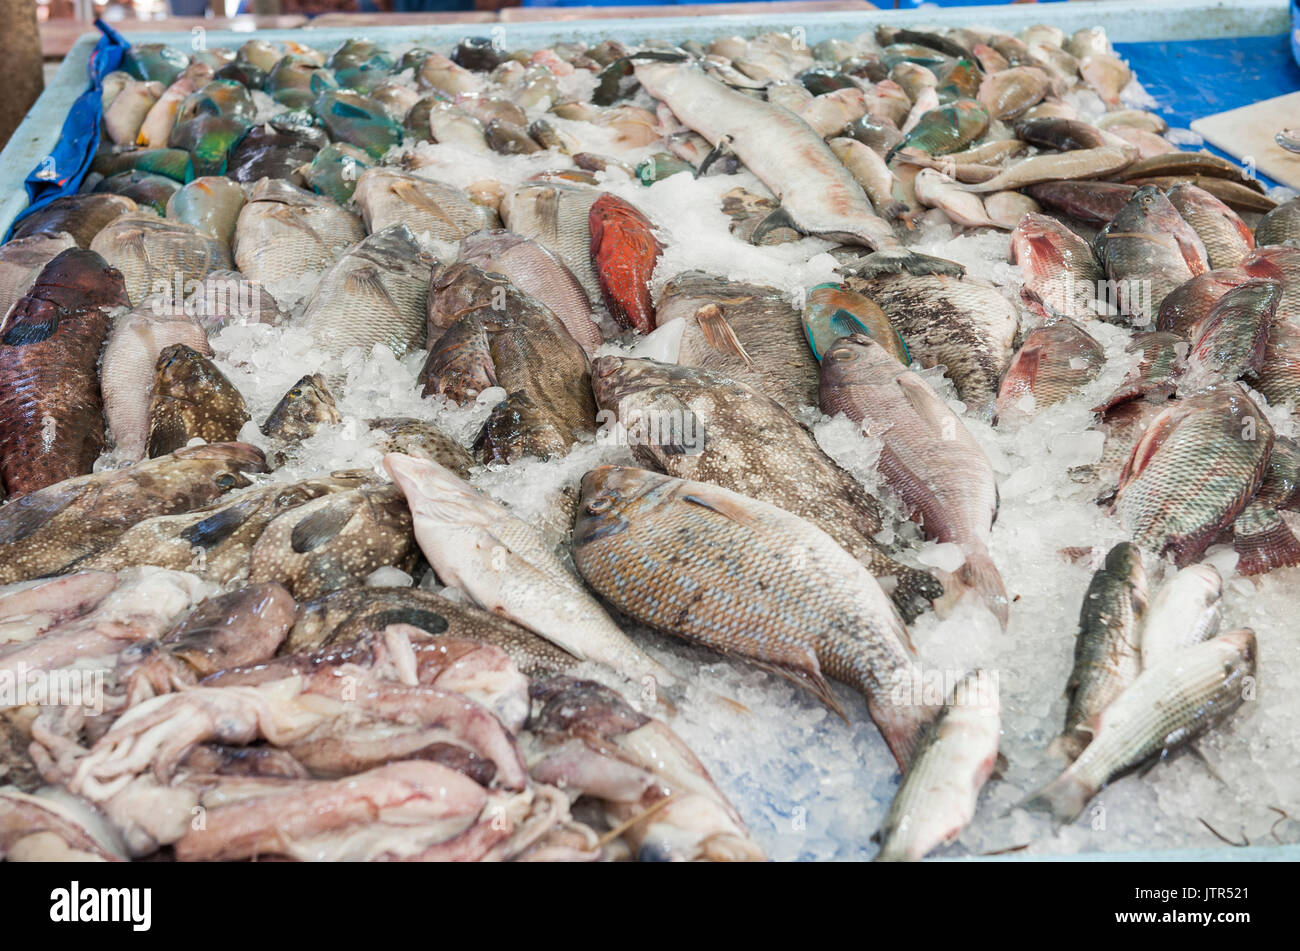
(352, 614)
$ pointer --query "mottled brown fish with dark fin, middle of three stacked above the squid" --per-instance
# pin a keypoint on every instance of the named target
(214, 542)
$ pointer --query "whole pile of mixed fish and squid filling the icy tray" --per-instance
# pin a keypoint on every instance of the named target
(643, 285)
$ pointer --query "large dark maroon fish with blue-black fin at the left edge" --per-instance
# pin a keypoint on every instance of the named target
(51, 414)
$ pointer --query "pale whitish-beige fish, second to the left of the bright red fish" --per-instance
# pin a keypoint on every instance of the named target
(388, 198)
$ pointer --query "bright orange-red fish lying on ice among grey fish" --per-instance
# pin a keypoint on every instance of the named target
(625, 253)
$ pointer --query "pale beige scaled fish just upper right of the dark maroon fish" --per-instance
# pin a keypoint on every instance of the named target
(155, 254)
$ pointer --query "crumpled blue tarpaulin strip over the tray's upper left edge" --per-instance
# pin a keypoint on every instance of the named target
(62, 172)
